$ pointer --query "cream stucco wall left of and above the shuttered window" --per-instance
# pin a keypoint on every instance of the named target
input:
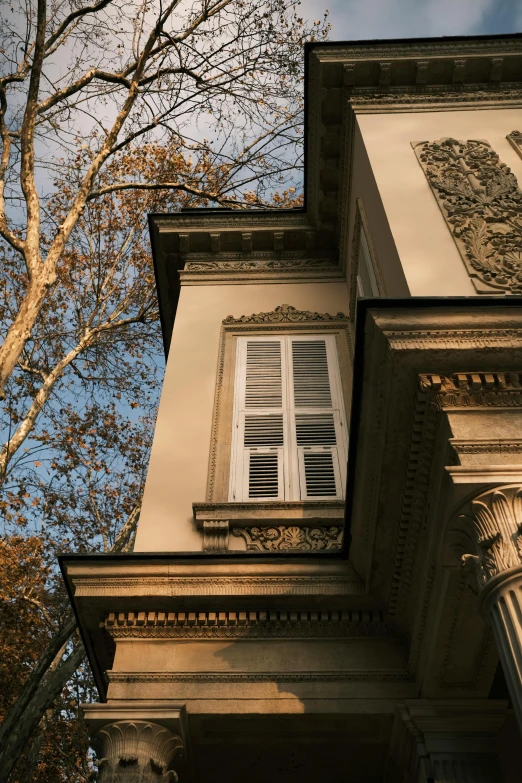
(178, 467)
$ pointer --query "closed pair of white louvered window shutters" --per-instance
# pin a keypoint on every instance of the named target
(289, 439)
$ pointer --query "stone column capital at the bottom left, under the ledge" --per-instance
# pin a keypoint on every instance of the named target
(137, 751)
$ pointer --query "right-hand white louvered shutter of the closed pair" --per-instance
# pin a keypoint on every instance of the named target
(317, 421)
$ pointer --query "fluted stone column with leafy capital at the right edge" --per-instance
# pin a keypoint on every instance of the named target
(491, 543)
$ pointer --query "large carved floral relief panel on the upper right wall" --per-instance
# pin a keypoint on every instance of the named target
(482, 203)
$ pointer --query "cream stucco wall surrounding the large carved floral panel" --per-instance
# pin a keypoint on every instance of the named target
(430, 259)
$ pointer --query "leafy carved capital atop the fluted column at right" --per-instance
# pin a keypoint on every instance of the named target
(490, 529)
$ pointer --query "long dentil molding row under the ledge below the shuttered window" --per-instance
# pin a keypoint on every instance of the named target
(247, 625)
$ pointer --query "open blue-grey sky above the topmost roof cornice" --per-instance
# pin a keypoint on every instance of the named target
(363, 19)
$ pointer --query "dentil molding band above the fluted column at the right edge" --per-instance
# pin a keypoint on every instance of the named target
(473, 389)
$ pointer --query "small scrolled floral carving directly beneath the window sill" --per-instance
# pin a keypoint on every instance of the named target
(273, 539)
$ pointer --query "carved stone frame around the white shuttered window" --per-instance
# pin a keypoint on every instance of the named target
(221, 438)
